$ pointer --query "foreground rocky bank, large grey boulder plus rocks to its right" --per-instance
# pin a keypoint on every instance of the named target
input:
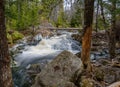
(66, 71)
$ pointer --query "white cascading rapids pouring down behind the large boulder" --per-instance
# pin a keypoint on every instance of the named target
(47, 49)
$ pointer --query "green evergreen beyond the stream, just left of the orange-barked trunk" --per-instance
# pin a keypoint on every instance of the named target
(77, 15)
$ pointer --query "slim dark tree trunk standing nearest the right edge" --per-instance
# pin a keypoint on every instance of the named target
(112, 31)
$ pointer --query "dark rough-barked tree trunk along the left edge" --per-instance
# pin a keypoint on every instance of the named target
(5, 71)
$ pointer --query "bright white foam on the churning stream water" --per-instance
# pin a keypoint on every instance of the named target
(51, 46)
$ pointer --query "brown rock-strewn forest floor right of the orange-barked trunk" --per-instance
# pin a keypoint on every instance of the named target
(105, 70)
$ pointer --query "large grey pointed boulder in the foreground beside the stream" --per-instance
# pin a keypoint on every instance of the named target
(60, 72)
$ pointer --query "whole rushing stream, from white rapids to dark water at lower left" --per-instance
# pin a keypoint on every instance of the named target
(42, 51)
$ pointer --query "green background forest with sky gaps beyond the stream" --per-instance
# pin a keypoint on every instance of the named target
(20, 14)
